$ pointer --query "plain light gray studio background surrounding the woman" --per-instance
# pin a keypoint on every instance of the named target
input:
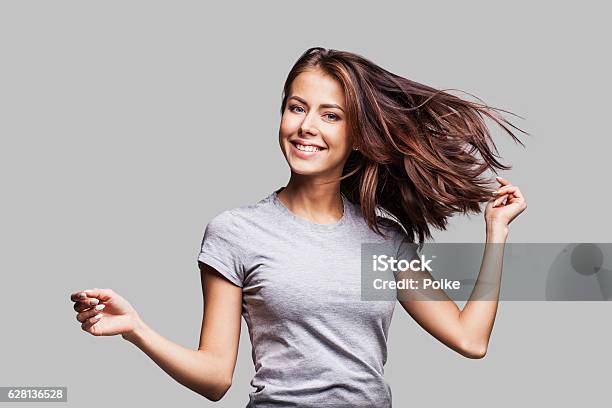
(127, 125)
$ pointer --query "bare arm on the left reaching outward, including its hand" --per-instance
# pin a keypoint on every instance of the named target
(208, 370)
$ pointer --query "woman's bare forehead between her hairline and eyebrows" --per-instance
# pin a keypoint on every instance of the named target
(315, 85)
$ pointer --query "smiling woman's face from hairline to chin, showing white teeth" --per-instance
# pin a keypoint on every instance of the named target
(313, 130)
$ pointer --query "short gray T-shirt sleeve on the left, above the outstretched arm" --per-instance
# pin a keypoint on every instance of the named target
(222, 247)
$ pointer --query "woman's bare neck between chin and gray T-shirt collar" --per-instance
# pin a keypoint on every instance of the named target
(308, 198)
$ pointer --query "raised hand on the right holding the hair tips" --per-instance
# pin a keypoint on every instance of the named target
(507, 203)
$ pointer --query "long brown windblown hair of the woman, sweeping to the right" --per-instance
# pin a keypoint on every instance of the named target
(422, 151)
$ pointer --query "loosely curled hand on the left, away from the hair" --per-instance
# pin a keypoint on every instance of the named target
(115, 314)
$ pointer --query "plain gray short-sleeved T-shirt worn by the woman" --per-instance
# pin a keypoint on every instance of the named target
(315, 343)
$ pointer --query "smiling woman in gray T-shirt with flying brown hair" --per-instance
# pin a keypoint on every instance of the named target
(364, 146)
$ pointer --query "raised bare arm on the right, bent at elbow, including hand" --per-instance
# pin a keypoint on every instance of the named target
(468, 331)
